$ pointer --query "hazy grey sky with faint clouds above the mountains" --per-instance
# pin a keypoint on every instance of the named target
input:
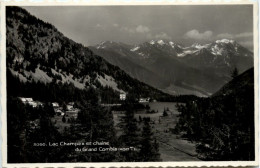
(135, 24)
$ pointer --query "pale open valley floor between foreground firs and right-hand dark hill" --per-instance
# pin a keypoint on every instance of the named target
(172, 148)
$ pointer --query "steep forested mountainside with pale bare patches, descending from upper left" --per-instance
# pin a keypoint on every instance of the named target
(38, 51)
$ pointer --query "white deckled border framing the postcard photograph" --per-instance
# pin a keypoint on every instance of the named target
(125, 2)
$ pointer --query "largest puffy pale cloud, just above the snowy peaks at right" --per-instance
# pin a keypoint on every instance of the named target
(195, 34)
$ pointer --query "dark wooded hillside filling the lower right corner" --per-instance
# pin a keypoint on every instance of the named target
(223, 125)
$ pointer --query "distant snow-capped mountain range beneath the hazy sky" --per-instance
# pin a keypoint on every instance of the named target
(197, 69)
